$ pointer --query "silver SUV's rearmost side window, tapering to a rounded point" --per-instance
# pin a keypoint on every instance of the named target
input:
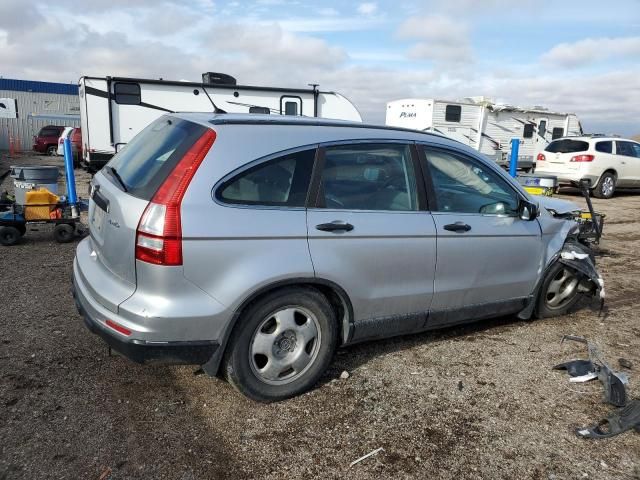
(283, 181)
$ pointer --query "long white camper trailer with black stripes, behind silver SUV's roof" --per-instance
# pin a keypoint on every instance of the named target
(114, 109)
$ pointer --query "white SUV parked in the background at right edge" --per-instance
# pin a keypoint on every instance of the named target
(609, 163)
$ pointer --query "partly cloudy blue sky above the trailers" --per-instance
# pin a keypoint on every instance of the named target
(579, 56)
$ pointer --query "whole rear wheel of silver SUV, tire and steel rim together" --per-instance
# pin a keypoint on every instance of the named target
(282, 345)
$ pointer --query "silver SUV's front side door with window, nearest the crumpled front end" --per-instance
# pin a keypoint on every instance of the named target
(488, 259)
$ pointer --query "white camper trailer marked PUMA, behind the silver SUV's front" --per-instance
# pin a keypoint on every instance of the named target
(486, 126)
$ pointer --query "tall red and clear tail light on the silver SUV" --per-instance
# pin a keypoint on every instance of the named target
(159, 234)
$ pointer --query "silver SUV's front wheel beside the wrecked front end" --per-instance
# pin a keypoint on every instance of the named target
(559, 291)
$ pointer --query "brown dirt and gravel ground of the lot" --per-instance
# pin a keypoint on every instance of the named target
(474, 402)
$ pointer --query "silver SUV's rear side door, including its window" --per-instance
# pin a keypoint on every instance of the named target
(369, 233)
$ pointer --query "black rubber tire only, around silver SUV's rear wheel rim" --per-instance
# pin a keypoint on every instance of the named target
(236, 363)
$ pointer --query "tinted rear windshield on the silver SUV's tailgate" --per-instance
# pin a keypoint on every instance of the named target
(147, 160)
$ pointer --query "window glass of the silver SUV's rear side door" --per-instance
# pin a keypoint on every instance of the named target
(368, 177)
